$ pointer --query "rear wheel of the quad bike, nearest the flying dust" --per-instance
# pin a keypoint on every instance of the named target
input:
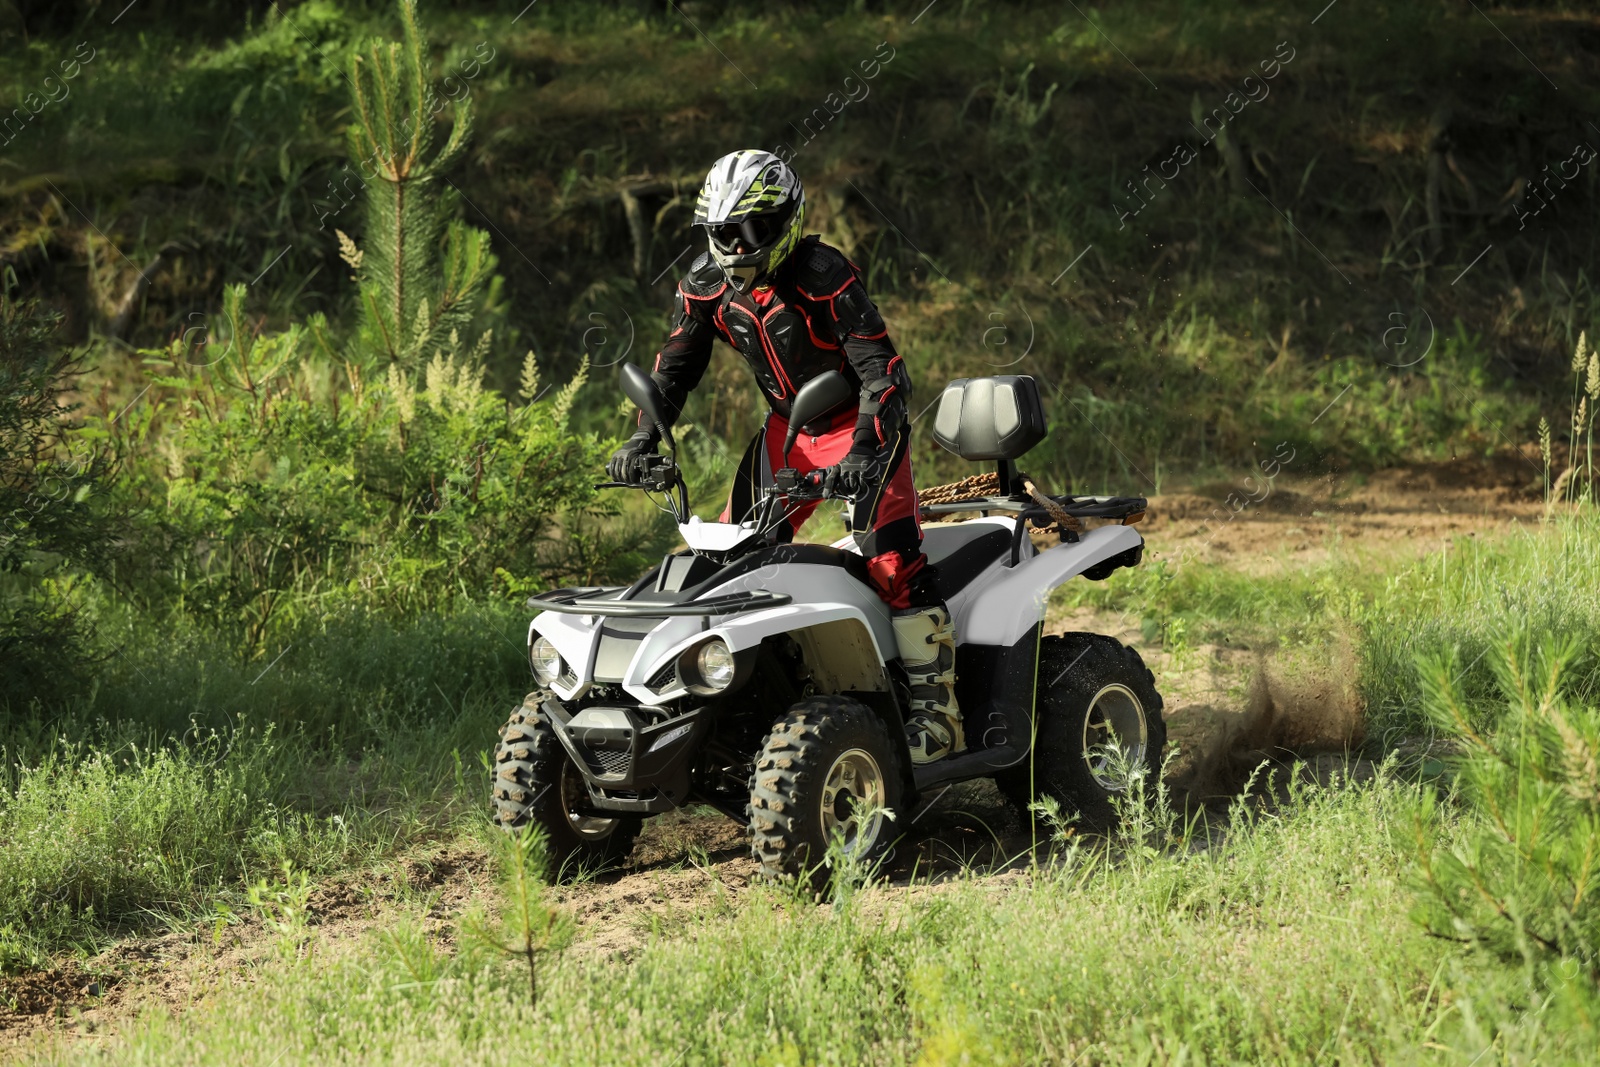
(1098, 709)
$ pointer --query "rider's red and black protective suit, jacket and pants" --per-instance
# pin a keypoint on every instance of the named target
(809, 318)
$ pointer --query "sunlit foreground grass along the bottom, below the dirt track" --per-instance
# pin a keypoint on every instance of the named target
(1287, 943)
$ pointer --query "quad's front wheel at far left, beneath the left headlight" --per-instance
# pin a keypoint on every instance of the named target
(537, 785)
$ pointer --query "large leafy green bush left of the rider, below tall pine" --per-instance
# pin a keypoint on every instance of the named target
(287, 487)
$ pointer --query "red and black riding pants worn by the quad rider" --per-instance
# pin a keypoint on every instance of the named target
(884, 526)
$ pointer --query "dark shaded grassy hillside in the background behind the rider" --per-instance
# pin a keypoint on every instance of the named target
(1390, 214)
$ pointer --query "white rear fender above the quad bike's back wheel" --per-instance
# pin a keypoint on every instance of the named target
(1014, 601)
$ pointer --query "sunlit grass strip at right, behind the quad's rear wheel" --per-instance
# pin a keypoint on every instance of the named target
(1457, 601)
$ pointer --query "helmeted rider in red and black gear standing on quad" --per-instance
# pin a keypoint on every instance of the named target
(796, 310)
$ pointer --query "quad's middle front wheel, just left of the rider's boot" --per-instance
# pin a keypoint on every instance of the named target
(826, 769)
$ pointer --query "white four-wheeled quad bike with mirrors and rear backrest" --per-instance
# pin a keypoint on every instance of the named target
(762, 679)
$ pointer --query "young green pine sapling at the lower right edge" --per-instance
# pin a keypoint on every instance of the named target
(1524, 877)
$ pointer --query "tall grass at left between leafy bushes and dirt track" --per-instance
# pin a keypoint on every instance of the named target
(183, 772)
